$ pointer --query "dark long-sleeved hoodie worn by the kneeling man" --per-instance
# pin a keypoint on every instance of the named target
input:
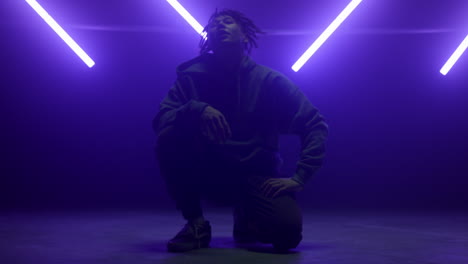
(259, 104)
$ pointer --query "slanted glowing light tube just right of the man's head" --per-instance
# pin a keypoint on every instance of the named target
(325, 35)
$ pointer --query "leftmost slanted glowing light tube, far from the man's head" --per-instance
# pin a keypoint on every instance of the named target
(59, 30)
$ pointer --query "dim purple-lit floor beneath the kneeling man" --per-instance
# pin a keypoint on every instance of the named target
(330, 237)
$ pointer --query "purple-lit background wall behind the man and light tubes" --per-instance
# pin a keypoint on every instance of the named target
(77, 137)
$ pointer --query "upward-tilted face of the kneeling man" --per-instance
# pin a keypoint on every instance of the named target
(225, 30)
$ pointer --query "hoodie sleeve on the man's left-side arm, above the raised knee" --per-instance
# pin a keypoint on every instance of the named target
(178, 108)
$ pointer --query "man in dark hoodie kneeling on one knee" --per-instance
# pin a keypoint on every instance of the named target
(218, 131)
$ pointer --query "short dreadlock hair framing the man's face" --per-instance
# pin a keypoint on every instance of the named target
(249, 29)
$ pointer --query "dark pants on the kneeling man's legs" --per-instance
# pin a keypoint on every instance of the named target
(192, 172)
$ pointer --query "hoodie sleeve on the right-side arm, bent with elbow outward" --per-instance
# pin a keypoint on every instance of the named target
(298, 116)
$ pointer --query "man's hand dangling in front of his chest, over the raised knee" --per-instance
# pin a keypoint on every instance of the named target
(214, 125)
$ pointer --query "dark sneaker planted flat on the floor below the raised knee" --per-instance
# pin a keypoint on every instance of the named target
(192, 236)
